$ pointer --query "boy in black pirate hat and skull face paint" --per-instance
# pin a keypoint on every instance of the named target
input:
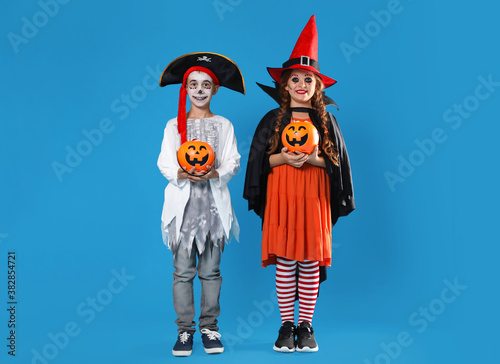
(198, 216)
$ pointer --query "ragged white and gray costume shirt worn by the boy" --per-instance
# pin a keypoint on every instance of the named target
(195, 211)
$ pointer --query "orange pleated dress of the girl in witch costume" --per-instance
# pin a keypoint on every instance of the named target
(297, 218)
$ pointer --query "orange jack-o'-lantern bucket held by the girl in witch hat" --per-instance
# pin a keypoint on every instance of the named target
(300, 136)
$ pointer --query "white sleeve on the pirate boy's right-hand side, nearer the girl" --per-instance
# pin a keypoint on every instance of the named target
(230, 158)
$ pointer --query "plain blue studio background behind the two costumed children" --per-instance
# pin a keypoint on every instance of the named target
(73, 232)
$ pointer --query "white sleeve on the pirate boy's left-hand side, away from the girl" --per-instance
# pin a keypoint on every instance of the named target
(167, 161)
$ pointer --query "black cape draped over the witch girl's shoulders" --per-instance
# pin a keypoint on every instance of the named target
(341, 190)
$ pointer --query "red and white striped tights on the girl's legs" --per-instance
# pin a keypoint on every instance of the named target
(286, 288)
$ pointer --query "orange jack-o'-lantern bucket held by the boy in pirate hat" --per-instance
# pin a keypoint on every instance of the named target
(195, 154)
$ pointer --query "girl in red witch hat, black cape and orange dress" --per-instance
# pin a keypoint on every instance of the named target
(299, 196)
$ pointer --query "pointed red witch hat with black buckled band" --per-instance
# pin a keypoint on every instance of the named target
(304, 55)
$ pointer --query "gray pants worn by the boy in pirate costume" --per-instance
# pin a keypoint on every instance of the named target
(182, 287)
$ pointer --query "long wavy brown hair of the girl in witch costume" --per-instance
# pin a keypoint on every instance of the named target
(328, 147)
